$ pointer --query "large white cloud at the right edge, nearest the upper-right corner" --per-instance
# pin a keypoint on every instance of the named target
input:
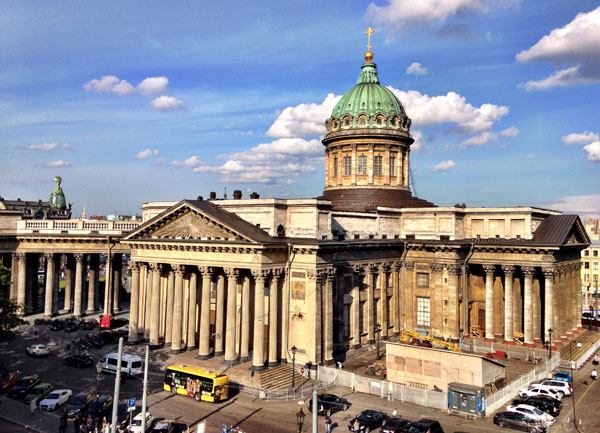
(577, 44)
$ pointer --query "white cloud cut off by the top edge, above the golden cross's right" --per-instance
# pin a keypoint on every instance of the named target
(399, 15)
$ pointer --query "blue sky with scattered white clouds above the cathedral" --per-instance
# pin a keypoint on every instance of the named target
(138, 101)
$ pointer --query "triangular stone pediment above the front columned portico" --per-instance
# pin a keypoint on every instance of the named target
(197, 221)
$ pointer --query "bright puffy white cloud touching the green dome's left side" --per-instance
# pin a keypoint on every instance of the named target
(304, 119)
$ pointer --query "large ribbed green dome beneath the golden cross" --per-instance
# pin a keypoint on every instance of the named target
(368, 105)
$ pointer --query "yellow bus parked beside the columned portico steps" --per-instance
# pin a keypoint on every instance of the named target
(196, 382)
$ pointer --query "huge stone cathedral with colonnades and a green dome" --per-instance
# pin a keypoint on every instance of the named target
(255, 279)
